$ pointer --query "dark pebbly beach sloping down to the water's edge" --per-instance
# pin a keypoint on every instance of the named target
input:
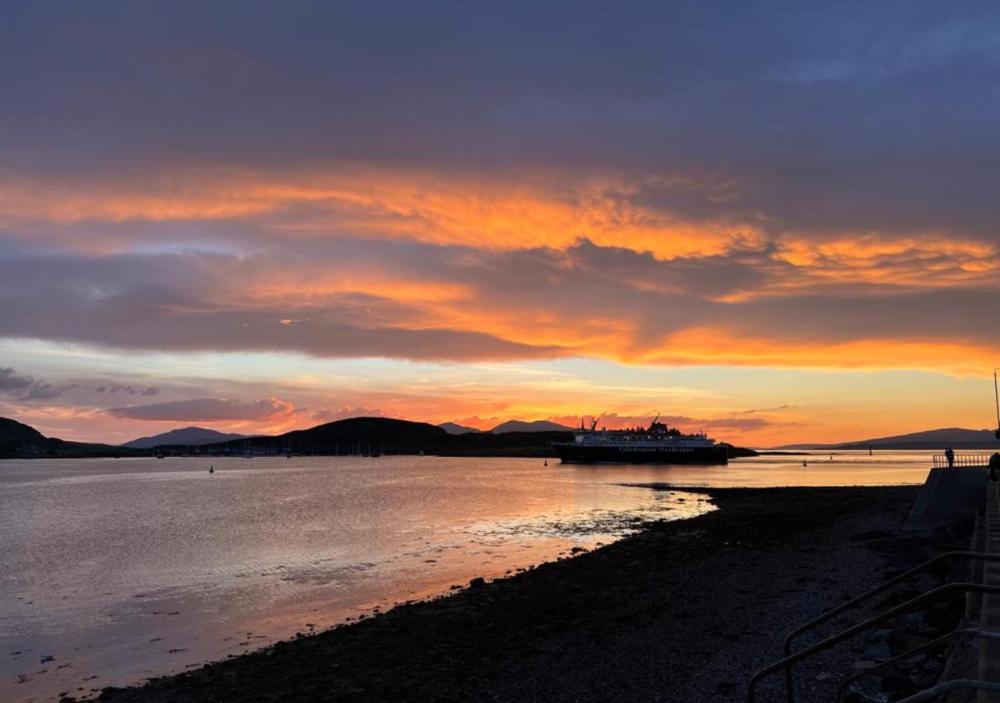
(682, 611)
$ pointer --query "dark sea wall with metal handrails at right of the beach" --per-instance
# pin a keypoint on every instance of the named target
(958, 489)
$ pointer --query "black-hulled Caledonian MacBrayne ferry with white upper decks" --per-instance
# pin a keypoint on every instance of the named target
(657, 444)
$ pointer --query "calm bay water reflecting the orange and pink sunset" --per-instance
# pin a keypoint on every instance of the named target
(125, 569)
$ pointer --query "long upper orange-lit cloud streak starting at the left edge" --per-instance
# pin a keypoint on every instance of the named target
(519, 212)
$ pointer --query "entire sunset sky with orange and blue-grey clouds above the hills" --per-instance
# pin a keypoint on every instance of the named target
(774, 222)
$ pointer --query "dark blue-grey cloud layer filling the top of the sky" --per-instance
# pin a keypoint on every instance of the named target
(852, 115)
